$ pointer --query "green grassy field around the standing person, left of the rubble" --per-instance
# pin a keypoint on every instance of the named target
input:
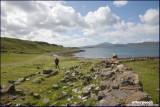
(14, 66)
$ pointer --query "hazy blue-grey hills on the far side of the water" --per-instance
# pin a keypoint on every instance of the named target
(106, 44)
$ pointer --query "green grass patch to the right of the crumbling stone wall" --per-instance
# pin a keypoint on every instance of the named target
(148, 72)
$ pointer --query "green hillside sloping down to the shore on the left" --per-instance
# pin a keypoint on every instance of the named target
(25, 46)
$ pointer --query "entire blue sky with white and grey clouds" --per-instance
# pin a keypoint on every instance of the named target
(80, 23)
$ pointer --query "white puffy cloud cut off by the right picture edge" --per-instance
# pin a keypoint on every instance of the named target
(151, 17)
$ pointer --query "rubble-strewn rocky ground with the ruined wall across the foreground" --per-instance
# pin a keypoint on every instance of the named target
(107, 83)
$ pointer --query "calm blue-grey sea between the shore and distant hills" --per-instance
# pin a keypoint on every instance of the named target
(122, 52)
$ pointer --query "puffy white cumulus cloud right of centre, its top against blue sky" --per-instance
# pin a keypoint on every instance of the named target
(99, 20)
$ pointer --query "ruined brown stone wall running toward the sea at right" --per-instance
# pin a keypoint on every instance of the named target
(120, 86)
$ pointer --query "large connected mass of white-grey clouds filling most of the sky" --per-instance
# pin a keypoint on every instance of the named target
(56, 23)
